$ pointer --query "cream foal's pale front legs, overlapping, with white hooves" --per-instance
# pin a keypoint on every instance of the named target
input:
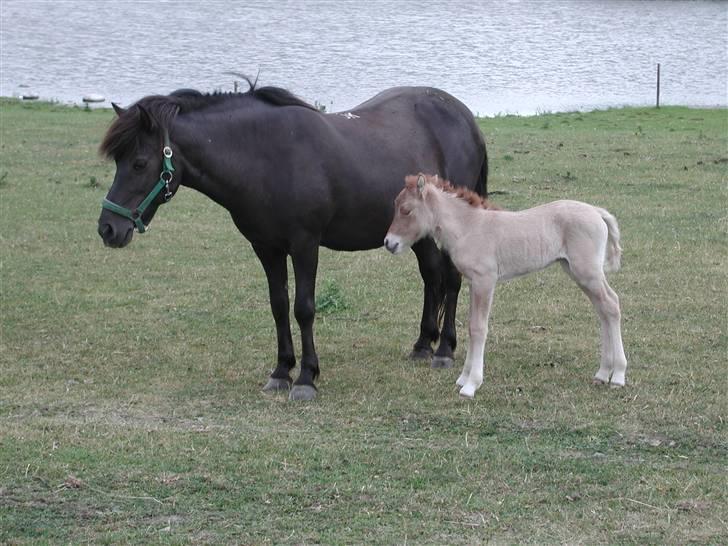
(481, 298)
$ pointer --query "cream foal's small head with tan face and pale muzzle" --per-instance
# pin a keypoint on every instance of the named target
(412, 217)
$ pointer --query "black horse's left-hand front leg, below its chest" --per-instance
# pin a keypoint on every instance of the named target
(276, 270)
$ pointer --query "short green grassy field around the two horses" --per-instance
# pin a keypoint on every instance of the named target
(130, 401)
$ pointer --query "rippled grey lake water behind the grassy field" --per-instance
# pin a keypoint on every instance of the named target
(496, 56)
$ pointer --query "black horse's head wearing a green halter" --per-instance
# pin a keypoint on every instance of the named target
(139, 144)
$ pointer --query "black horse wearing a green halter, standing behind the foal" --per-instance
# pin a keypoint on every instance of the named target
(293, 179)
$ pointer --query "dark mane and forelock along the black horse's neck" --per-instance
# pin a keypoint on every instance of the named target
(156, 112)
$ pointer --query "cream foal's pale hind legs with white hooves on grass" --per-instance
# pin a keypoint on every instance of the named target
(613, 364)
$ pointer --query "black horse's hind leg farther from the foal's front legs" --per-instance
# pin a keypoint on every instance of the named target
(429, 262)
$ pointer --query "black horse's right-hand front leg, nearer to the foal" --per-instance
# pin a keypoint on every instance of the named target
(305, 262)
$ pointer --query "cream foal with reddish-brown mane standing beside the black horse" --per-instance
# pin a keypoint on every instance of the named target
(488, 246)
